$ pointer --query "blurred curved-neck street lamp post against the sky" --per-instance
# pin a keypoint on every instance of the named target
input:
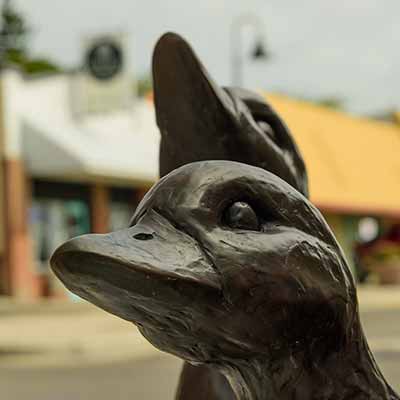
(259, 51)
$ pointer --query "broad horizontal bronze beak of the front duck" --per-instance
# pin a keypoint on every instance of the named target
(137, 272)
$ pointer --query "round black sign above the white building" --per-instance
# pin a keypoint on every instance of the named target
(104, 60)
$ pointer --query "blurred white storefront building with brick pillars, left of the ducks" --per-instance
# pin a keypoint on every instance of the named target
(64, 174)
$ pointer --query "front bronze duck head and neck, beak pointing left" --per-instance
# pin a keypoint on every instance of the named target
(226, 264)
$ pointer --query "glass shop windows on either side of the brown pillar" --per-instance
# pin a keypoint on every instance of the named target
(60, 211)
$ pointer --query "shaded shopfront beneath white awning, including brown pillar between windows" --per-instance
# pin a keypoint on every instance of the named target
(59, 211)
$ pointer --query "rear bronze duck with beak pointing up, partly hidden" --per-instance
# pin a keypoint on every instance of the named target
(198, 120)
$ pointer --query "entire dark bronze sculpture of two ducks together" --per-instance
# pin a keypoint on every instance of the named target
(226, 265)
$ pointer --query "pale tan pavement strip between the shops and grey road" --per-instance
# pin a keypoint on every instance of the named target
(64, 333)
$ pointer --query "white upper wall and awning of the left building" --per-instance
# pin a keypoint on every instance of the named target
(42, 130)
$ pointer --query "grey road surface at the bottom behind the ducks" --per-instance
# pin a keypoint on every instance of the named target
(155, 378)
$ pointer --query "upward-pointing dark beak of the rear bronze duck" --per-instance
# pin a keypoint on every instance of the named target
(192, 111)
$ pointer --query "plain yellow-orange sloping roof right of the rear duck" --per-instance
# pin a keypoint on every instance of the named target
(353, 163)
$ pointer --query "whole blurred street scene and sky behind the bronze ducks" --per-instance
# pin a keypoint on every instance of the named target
(79, 148)
